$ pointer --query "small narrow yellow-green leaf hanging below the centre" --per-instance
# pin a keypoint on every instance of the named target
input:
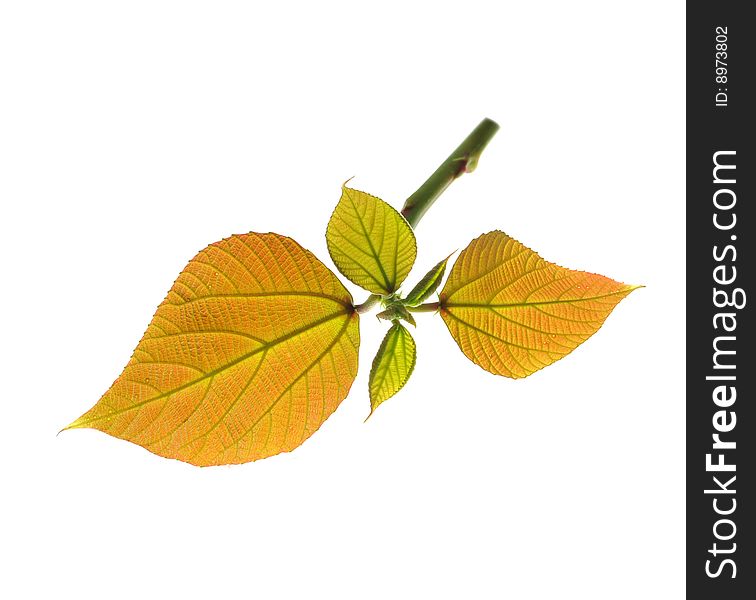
(392, 366)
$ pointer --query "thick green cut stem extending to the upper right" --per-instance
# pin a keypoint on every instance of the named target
(463, 160)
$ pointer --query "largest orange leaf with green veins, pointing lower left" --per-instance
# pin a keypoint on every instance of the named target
(253, 348)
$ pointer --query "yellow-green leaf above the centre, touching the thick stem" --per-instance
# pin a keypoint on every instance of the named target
(370, 242)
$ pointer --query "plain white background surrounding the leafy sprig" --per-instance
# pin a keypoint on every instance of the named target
(133, 134)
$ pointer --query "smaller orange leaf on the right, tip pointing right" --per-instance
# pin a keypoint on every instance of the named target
(513, 313)
